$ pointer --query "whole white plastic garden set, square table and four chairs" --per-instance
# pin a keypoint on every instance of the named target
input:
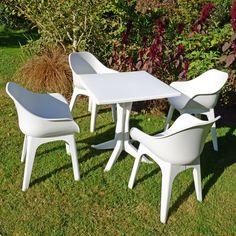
(46, 117)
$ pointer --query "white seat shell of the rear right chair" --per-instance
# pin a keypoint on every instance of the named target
(200, 93)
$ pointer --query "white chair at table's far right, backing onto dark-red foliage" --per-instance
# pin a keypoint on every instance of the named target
(198, 96)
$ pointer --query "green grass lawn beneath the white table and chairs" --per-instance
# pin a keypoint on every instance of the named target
(101, 203)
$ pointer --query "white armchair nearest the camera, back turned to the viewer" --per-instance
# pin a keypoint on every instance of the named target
(174, 150)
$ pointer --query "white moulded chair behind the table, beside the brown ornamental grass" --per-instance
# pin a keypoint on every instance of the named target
(87, 63)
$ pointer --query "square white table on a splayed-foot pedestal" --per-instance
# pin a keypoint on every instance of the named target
(123, 89)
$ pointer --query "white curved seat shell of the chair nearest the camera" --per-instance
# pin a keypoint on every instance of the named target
(182, 143)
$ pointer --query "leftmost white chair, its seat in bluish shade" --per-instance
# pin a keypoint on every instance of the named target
(43, 118)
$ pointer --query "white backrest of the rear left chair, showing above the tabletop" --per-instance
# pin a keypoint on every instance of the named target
(86, 63)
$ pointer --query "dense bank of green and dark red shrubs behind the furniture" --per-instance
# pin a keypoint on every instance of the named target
(172, 39)
